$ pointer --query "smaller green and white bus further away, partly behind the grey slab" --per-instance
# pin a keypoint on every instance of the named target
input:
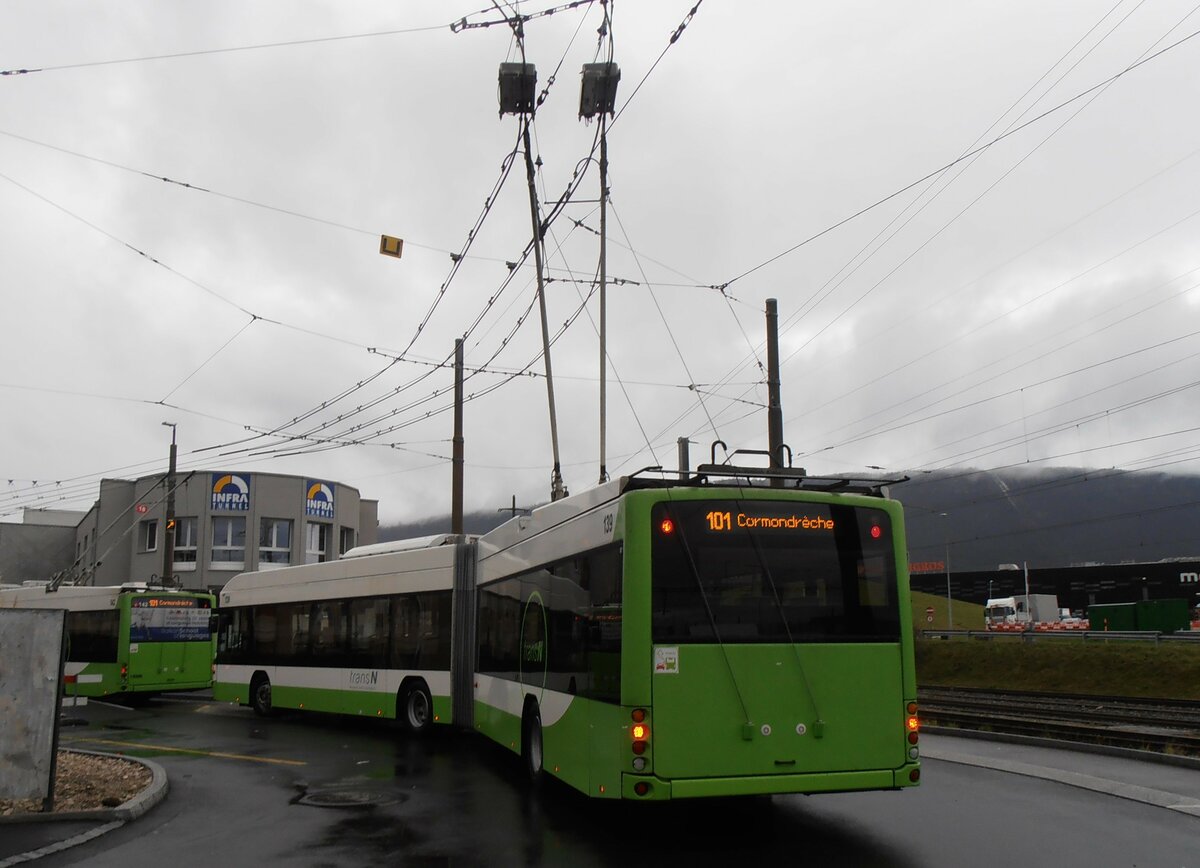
(129, 640)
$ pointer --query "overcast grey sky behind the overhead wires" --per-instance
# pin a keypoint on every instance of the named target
(1036, 303)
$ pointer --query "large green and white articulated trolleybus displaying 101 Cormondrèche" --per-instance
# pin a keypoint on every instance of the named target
(737, 632)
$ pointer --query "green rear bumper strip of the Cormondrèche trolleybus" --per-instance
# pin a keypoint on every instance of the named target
(766, 785)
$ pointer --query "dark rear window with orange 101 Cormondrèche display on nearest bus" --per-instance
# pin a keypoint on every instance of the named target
(741, 572)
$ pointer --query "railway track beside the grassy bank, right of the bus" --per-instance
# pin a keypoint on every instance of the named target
(1161, 726)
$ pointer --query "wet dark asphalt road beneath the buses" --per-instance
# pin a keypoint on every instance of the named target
(314, 791)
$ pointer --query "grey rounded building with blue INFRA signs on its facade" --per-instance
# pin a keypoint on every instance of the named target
(226, 523)
